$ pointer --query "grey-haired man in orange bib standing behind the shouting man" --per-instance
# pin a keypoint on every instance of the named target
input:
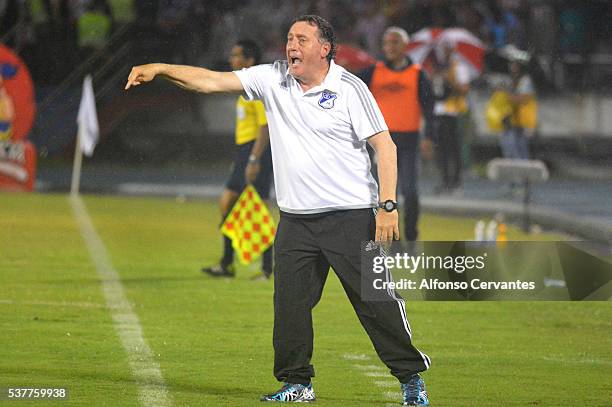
(404, 95)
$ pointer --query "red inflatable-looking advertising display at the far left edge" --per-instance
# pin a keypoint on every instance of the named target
(17, 110)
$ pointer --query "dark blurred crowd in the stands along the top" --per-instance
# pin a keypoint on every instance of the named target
(54, 35)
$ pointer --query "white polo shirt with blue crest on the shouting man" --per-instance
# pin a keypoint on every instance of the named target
(318, 137)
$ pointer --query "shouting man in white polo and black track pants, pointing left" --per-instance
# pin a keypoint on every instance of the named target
(320, 117)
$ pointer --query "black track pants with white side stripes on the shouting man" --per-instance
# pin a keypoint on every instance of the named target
(304, 250)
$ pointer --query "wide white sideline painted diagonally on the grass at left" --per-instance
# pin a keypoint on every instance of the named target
(152, 389)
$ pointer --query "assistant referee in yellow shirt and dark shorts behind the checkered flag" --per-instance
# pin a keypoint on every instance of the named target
(253, 162)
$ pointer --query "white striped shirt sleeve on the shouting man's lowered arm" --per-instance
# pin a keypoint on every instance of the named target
(366, 117)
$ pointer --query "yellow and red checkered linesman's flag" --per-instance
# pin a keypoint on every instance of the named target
(250, 226)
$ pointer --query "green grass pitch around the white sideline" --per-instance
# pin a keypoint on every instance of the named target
(213, 338)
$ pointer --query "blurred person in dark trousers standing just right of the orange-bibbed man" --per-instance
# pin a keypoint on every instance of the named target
(450, 80)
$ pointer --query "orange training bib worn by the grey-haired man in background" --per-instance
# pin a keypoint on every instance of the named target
(397, 95)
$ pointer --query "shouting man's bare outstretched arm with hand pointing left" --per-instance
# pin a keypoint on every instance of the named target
(187, 77)
